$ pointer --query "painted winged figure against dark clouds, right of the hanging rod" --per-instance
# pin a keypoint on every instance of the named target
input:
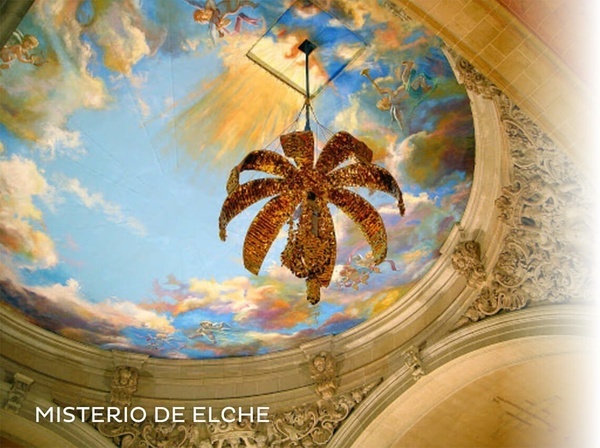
(412, 85)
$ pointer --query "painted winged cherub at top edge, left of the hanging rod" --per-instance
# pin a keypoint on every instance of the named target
(216, 15)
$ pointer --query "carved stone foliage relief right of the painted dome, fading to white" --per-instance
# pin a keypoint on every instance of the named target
(546, 255)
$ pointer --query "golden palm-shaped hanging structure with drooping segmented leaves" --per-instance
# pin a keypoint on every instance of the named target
(308, 187)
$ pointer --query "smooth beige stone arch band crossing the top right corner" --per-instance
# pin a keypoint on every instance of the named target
(519, 63)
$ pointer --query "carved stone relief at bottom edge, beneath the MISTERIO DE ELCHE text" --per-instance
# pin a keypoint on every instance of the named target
(309, 425)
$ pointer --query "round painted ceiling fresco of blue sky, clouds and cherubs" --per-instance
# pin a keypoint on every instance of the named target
(121, 120)
